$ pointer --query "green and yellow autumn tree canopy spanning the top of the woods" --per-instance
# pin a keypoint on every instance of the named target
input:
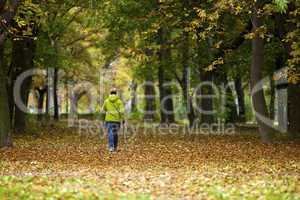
(81, 37)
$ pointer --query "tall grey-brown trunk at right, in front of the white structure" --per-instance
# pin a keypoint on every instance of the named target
(258, 98)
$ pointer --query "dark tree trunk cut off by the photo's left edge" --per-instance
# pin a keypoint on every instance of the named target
(5, 128)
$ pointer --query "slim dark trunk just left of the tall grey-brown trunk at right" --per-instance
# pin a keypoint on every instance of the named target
(241, 99)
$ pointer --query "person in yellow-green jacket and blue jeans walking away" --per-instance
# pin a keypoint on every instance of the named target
(113, 108)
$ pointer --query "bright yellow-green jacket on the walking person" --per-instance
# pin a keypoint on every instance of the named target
(113, 108)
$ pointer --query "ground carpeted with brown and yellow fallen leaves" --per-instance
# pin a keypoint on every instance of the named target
(59, 164)
